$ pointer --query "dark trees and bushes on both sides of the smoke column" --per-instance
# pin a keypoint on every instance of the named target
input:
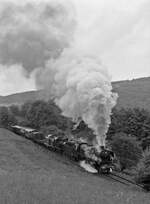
(128, 135)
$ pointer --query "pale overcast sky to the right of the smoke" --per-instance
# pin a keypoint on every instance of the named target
(119, 30)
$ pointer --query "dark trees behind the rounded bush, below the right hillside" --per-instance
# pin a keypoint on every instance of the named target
(135, 122)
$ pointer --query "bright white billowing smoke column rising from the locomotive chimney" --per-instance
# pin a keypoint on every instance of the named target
(82, 88)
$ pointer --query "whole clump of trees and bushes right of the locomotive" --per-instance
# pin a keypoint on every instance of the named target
(129, 136)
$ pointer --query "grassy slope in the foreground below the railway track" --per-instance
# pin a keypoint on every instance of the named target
(30, 174)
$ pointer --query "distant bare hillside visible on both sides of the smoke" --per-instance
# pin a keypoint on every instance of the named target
(132, 93)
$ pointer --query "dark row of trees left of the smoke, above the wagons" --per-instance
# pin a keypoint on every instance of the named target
(38, 114)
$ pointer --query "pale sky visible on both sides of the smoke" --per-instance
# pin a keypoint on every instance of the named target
(117, 31)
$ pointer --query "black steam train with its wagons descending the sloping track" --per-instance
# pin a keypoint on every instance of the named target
(102, 160)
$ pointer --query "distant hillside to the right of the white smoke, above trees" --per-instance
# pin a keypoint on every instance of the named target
(134, 93)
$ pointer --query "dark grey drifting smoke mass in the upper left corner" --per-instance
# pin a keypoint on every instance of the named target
(33, 32)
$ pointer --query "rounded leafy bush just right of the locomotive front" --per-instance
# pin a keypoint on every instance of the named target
(127, 150)
